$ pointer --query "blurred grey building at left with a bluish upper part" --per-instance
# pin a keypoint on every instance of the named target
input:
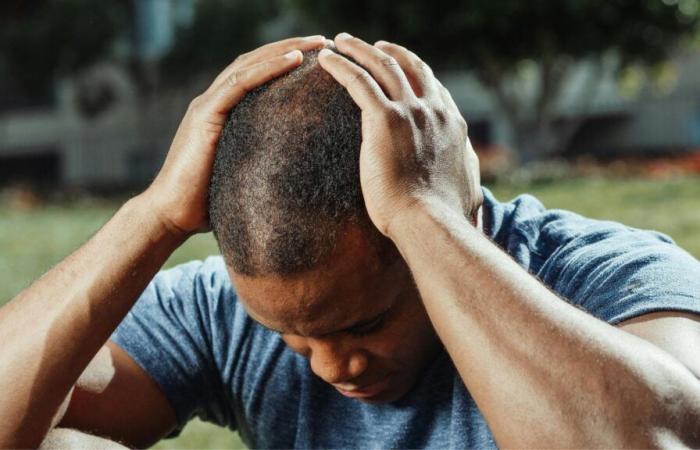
(98, 129)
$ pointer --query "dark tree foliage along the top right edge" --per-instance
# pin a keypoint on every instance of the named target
(472, 33)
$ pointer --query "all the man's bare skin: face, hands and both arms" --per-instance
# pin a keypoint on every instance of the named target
(549, 376)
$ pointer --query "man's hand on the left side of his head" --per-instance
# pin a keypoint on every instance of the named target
(179, 192)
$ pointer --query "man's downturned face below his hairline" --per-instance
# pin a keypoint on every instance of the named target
(359, 322)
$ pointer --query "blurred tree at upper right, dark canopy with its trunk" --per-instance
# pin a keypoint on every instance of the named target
(507, 41)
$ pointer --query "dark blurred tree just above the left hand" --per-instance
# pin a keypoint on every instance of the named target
(220, 31)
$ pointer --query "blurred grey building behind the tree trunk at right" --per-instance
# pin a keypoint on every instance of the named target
(608, 122)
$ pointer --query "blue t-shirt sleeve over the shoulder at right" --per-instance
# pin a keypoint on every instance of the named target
(611, 270)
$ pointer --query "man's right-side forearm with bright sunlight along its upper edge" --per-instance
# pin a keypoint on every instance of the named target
(542, 372)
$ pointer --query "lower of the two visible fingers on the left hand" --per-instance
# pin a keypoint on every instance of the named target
(240, 82)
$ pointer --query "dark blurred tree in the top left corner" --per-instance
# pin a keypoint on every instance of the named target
(41, 40)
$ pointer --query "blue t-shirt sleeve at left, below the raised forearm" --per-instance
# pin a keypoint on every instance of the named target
(168, 333)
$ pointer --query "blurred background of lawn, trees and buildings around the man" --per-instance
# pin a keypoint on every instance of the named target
(591, 105)
